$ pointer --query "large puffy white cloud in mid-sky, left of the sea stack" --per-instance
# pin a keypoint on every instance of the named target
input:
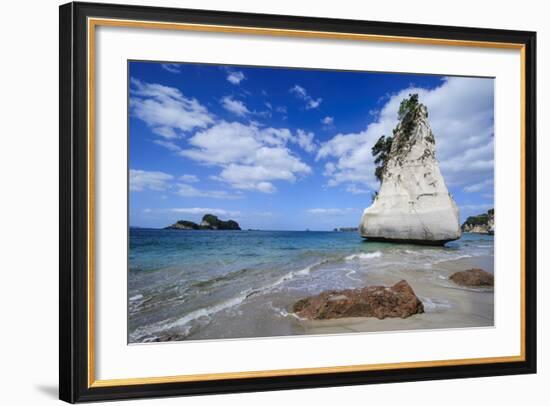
(250, 157)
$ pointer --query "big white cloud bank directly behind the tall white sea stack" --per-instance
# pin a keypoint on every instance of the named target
(461, 117)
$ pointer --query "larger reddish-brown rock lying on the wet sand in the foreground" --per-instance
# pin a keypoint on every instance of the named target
(372, 301)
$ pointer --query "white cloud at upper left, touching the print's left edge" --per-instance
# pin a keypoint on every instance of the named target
(166, 110)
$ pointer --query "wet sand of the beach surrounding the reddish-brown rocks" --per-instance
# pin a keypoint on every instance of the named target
(446, 305)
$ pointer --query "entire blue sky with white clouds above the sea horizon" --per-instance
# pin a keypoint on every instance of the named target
(289, 149)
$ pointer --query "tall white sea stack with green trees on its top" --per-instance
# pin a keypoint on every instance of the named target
(413, 204)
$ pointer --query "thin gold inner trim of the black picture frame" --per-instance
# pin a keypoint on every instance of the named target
(94, 22)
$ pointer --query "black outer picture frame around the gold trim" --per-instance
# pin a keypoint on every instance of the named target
(74, 385)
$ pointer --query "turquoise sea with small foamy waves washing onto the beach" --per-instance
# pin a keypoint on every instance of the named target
(200, 284)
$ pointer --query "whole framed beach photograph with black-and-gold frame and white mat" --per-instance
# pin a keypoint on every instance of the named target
(256, 202)
